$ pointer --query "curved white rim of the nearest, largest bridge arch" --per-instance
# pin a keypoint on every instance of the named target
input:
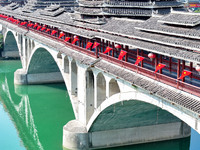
(139, 96)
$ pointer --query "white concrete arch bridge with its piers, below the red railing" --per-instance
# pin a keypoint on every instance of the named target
(108, 108)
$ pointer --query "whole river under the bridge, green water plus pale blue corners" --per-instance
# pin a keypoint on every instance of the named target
(32, 117)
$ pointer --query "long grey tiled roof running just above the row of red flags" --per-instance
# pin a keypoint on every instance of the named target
(125, 31)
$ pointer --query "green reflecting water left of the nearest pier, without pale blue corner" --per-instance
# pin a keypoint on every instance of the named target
(39, 112)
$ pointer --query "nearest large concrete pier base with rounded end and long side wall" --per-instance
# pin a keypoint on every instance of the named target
(75, 135)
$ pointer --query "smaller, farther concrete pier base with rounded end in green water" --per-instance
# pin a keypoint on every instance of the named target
(21, 77)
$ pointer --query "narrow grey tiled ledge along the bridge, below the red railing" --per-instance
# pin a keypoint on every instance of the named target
(155, 88)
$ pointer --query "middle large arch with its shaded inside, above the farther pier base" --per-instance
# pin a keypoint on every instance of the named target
(36, 74)
